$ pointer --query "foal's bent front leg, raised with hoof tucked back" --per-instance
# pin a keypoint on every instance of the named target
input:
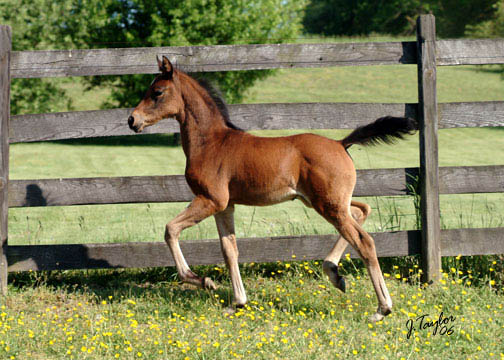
(199, 209)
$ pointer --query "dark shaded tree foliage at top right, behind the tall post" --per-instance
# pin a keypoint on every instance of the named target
(356, 17)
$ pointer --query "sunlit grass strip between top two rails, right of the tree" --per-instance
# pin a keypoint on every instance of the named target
(388, 84)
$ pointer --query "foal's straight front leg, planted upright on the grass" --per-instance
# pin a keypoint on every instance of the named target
(225, 226)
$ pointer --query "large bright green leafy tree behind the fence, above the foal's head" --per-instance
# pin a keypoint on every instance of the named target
(129, 23)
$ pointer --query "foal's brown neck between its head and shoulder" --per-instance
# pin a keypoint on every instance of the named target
(201, 118)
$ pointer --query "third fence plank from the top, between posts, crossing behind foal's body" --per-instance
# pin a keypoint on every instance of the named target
(171, 188)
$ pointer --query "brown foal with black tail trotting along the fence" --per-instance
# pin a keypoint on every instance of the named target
(227, 166)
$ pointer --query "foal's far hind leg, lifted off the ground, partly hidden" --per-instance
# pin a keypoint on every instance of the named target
(360, 212)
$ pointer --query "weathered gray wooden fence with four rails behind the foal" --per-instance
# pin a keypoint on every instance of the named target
(426, 52)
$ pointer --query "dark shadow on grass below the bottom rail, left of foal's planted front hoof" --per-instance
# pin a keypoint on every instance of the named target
(153, 283)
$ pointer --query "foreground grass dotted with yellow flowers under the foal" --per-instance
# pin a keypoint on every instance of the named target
(293, 313)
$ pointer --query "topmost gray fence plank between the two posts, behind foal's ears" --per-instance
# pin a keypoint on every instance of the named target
(36, 64)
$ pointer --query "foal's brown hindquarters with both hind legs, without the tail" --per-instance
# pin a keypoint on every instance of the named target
(329, 183)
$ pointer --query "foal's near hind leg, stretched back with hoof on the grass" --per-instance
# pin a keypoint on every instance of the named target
(364, 244)
